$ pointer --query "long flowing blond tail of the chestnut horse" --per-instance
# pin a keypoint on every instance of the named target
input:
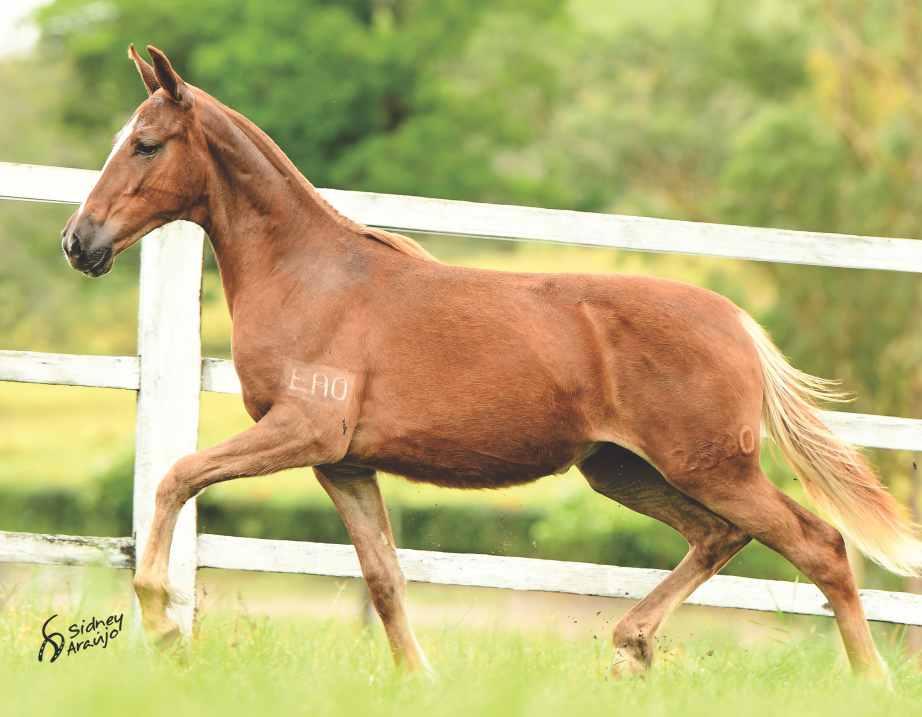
(835, 475)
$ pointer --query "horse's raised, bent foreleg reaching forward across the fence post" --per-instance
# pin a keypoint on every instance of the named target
(279, 440)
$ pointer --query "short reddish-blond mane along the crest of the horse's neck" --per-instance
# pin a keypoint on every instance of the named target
(281, 161)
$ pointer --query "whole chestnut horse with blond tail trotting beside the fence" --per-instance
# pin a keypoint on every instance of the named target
(357, 352)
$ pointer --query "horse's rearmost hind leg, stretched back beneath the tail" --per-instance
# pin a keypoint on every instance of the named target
(738, 491)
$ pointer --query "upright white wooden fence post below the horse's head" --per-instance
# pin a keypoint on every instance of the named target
(170, 350)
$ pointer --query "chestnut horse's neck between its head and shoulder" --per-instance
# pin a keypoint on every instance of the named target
(265, 218)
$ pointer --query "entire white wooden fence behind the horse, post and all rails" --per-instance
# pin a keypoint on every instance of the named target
(168, 373)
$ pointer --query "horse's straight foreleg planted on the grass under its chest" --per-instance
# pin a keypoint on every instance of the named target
(356, 495)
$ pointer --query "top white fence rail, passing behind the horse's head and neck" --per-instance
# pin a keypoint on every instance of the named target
(501, 221)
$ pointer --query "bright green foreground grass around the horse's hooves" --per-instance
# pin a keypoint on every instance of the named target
(257, 666)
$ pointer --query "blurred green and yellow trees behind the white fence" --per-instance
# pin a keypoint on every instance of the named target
(788, 113)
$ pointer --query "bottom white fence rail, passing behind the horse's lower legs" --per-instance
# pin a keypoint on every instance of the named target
(490, 571)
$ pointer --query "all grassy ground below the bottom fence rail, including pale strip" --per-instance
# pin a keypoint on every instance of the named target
(284, 644)
